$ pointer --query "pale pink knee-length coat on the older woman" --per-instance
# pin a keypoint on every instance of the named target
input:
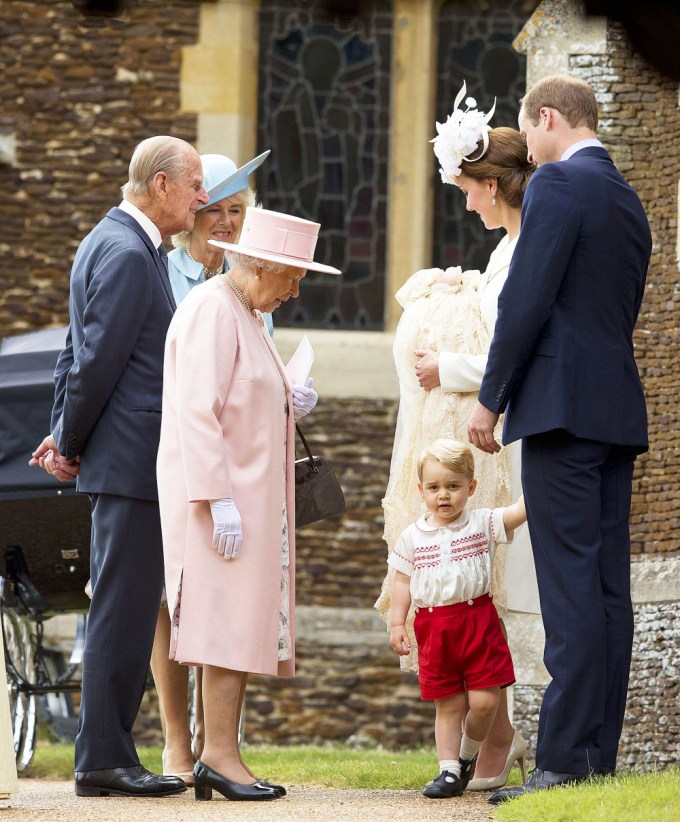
(225, 395)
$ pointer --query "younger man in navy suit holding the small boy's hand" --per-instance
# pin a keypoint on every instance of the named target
(562, 367)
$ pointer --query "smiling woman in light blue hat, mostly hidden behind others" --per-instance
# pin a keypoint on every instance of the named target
(192, 262)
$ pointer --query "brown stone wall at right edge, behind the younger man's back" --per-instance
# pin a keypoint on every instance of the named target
(640, 125)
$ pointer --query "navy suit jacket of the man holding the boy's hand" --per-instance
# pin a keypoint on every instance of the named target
(562, 353)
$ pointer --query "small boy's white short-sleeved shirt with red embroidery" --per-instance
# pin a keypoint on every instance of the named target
(451, 563)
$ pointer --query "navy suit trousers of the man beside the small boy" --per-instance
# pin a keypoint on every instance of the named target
(578, 495)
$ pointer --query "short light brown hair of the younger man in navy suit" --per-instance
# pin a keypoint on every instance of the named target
(573, 98)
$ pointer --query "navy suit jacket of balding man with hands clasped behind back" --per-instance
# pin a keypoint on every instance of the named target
(109, 377)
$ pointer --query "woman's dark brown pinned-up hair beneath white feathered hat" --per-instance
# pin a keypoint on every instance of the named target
(504, 161)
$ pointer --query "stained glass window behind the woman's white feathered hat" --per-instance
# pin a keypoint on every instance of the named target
(475, 45)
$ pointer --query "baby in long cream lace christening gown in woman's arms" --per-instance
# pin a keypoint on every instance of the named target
(441, 313)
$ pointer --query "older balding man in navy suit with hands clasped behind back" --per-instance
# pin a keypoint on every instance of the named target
(106, 426)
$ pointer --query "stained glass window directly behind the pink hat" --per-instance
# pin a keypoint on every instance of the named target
(324, 92)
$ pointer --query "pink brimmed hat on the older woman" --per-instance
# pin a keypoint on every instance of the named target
(270, 235)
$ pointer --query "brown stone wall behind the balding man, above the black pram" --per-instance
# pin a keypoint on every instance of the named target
(77, 95)
